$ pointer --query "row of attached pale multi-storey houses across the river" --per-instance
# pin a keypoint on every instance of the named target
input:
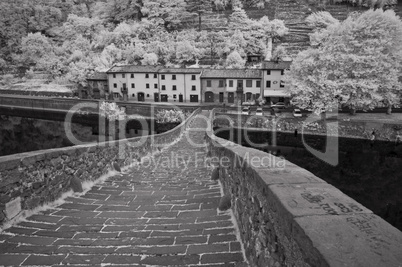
(231, 86)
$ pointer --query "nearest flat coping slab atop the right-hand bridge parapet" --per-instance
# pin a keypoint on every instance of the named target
(348, 240)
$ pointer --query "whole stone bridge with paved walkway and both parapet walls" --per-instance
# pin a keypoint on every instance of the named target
(182, 198)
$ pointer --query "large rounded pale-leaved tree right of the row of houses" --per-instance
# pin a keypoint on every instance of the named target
(357, 65)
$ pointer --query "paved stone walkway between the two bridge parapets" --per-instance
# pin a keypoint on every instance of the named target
(160, 213)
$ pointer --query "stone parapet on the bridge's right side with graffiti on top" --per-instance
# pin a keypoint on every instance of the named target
(289, 217)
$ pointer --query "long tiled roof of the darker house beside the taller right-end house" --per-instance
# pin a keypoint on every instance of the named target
(231, 73)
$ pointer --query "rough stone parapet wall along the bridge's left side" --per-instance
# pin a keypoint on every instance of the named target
(38, 177)
